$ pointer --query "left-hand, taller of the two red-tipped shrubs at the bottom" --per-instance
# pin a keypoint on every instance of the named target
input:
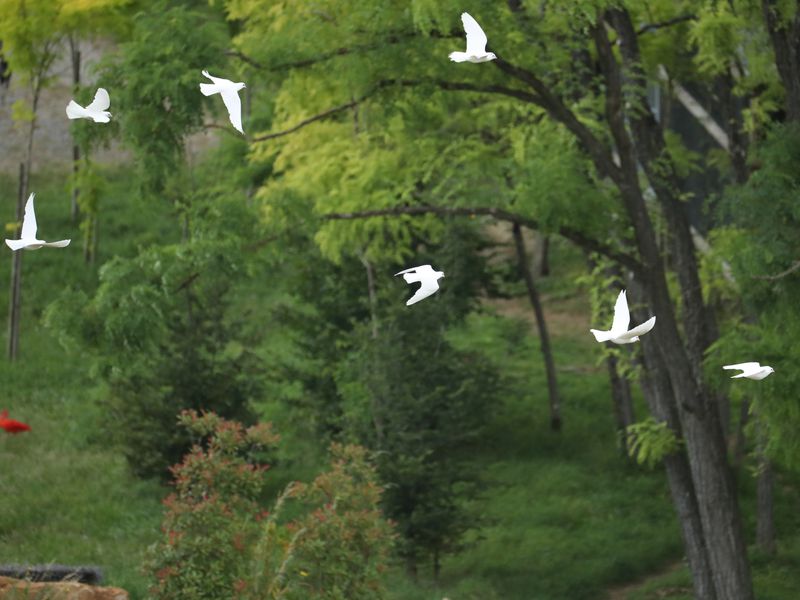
(210, 523)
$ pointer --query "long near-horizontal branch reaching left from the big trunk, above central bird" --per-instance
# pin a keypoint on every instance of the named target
(573, 235)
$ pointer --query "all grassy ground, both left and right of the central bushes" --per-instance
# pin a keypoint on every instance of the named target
(568, 518)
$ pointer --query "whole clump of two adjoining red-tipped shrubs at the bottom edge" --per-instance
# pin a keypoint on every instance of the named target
(323, 540)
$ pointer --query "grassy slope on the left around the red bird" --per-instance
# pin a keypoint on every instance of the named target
(65, 495)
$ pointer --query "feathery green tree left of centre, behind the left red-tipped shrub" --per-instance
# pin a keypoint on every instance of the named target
(166, 335)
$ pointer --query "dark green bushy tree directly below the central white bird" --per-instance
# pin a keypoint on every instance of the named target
(422, 404)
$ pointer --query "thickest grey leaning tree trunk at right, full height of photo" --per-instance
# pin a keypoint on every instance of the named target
(697, 410)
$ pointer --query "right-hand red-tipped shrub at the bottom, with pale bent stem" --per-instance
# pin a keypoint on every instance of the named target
(338, 548)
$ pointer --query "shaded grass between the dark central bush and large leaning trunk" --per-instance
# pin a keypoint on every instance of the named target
(569, 517)
